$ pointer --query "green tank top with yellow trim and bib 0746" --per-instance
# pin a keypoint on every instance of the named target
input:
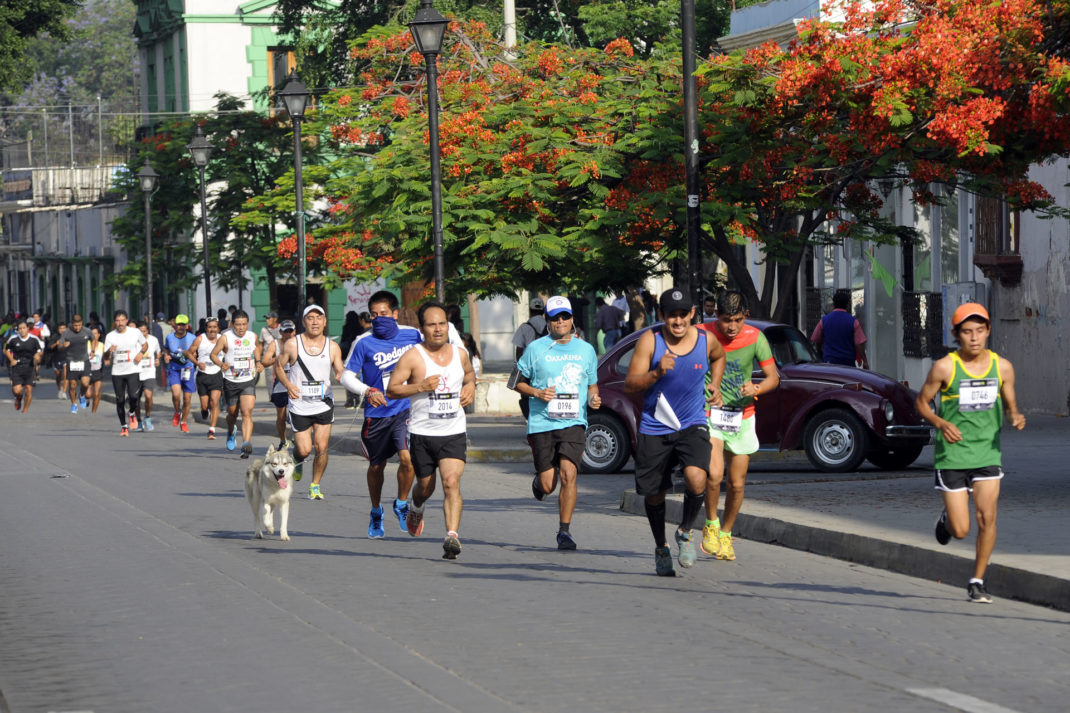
(972, 402)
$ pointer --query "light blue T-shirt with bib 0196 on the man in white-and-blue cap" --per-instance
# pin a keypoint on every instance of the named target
(570, 369)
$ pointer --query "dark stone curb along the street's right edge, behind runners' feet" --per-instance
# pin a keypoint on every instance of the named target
(1001, 581)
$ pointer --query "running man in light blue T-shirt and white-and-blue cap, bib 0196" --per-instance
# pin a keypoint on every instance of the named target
(559, 375)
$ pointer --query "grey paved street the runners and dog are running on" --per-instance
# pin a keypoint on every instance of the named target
(129, 582)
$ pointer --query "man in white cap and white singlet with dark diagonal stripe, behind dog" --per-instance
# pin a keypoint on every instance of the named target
(308, 361)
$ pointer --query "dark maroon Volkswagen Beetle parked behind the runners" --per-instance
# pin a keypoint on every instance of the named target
(839, 416)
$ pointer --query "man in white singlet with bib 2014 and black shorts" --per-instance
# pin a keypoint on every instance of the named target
(439, 383)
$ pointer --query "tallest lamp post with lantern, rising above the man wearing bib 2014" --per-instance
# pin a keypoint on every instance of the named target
(429, 27)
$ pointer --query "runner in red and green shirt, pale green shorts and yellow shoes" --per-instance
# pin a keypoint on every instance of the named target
(732, 431)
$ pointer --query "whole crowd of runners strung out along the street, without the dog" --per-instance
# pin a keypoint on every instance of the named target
(695, 382)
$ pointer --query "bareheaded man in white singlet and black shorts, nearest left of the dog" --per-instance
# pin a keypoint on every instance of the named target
(238, 355)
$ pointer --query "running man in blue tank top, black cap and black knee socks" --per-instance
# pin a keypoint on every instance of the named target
(669, 368)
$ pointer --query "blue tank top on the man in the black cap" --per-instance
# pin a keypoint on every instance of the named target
(678, 400)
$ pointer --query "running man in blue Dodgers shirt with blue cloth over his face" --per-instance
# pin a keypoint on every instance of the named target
(369, 372)
